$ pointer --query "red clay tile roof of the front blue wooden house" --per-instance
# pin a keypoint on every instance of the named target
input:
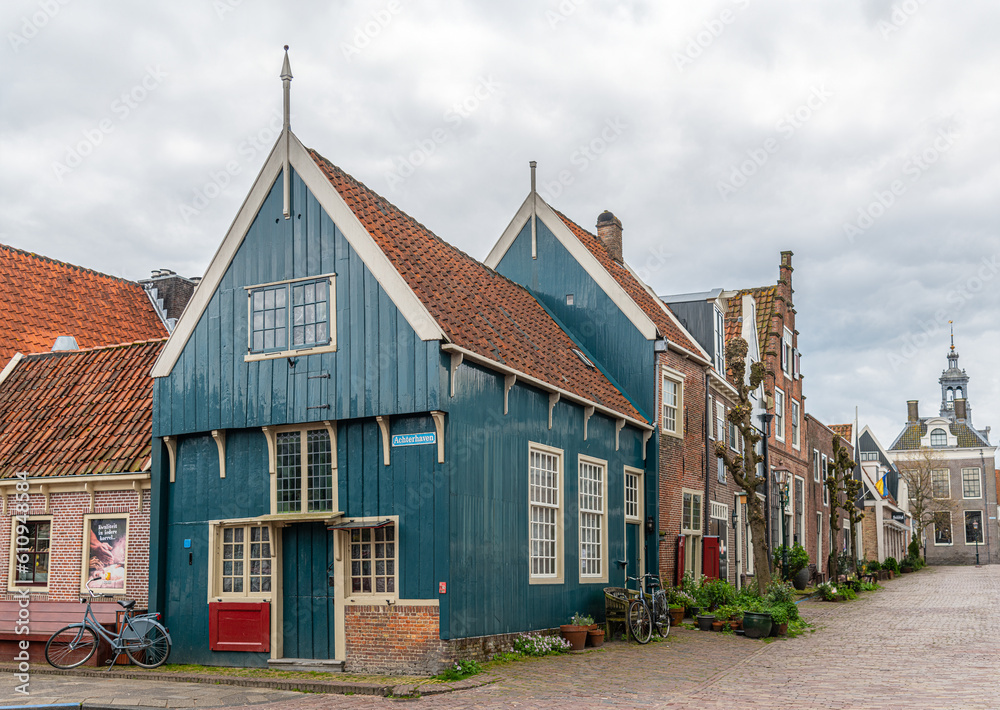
(477, 308)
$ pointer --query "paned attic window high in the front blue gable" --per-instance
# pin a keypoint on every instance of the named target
(289, 316)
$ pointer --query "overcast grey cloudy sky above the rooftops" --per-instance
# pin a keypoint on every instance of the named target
(863, 135)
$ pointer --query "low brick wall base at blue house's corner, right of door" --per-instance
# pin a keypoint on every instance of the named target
(397, 639)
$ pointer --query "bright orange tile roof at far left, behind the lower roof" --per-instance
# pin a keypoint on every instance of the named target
(41, 299)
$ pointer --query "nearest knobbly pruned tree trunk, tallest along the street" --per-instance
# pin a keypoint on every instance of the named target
(744, 467)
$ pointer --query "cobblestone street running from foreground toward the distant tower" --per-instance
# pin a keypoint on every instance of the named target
(927, 640)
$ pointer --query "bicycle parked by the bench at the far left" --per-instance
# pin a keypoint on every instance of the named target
(143, 639)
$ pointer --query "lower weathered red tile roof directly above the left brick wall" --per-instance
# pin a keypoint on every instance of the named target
(79, 412)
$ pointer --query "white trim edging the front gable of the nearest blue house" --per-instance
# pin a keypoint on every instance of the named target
(374, 258)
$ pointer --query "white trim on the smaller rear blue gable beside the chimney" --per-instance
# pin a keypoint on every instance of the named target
(578, 251)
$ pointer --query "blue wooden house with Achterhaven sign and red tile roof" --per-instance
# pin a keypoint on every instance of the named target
(371, 449)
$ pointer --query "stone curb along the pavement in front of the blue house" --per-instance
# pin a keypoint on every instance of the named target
(407, 690)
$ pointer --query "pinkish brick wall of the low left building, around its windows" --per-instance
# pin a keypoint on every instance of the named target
(66, 547)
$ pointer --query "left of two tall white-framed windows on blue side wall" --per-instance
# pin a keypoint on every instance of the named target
(544, 501)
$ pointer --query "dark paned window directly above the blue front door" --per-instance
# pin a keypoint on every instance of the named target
(304, 471)
